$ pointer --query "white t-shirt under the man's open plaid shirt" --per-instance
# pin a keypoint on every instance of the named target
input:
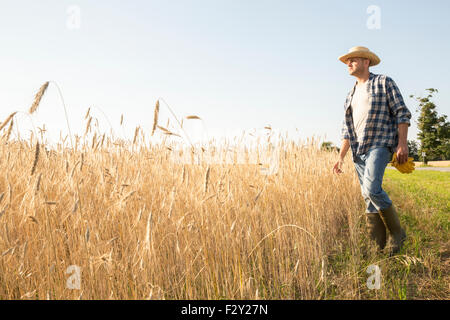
(360, 108)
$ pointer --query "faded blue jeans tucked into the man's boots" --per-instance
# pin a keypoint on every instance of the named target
(370, 168)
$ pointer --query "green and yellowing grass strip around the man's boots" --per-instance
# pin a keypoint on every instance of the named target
(422, 269)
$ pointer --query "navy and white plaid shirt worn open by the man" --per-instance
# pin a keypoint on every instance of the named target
(386, 112)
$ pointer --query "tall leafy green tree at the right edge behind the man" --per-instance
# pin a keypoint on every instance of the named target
(434, 131)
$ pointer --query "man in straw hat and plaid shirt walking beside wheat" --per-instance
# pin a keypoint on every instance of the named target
(375, 126)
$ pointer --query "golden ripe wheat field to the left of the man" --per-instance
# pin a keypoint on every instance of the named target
(139, 225)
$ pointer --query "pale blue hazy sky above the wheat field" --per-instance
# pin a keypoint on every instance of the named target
(237, 64)
